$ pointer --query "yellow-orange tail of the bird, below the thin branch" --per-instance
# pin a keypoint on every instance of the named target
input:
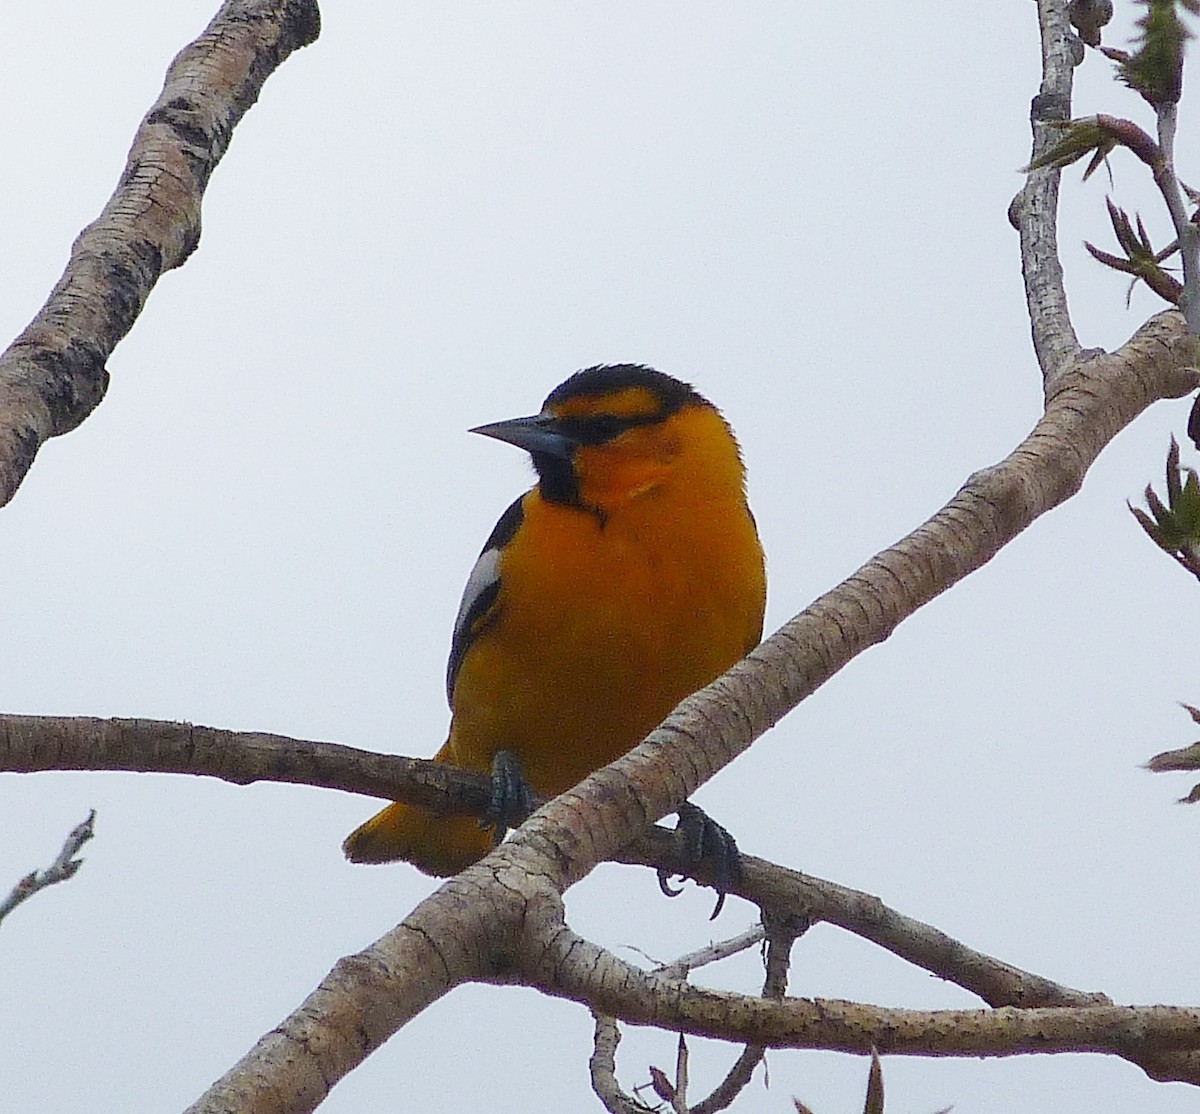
(439, 846)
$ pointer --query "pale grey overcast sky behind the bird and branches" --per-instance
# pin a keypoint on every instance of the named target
(431, 218)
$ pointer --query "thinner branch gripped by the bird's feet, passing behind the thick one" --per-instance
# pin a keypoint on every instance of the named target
(31, 744)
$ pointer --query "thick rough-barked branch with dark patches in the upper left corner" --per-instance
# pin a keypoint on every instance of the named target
(53, 375)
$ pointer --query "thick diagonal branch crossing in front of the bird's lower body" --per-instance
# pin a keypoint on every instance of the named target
(519, 885)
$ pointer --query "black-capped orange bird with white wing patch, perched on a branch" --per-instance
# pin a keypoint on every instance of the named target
(629, 577)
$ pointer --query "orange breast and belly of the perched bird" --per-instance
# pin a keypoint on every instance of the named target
(604, 627)
